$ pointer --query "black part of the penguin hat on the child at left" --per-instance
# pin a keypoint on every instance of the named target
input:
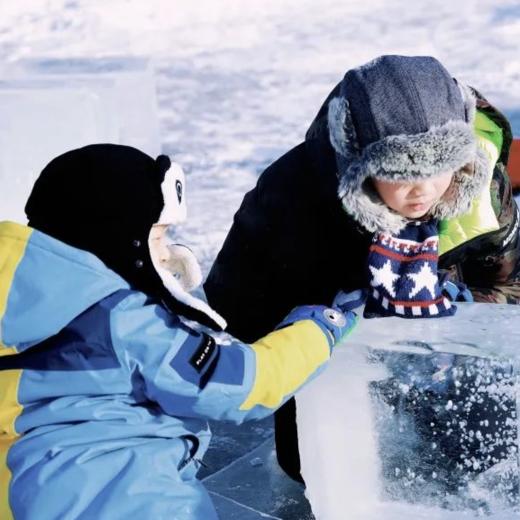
(104, 199)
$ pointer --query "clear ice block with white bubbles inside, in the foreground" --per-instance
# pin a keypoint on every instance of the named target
(416, 419)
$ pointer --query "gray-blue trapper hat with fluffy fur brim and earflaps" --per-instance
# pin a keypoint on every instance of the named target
(401, 118)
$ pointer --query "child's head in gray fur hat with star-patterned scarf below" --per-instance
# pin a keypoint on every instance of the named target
(408, 157)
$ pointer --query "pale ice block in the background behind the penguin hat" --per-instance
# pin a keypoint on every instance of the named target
(49, 106)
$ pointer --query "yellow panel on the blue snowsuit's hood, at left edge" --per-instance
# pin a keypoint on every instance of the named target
(13, 241)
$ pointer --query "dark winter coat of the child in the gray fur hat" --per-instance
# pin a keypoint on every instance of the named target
(292, 244)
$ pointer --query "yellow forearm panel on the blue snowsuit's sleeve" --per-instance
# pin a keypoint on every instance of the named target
(284, 361)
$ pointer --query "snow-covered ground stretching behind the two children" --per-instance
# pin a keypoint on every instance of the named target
(239, 81)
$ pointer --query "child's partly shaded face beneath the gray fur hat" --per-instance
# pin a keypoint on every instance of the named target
(413, 199)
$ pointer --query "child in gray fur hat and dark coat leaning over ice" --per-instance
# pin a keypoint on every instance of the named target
(401, 175)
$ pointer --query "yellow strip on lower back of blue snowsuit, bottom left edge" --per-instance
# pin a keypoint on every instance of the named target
(10, 409)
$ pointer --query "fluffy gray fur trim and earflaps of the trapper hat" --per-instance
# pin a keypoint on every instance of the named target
(446, 147)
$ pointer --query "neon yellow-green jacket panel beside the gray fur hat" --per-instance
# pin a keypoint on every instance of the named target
(481, 217)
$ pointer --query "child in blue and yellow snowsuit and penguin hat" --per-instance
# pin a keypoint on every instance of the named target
(105, 391)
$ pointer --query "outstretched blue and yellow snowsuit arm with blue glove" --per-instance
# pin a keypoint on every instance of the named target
(188, 374)
